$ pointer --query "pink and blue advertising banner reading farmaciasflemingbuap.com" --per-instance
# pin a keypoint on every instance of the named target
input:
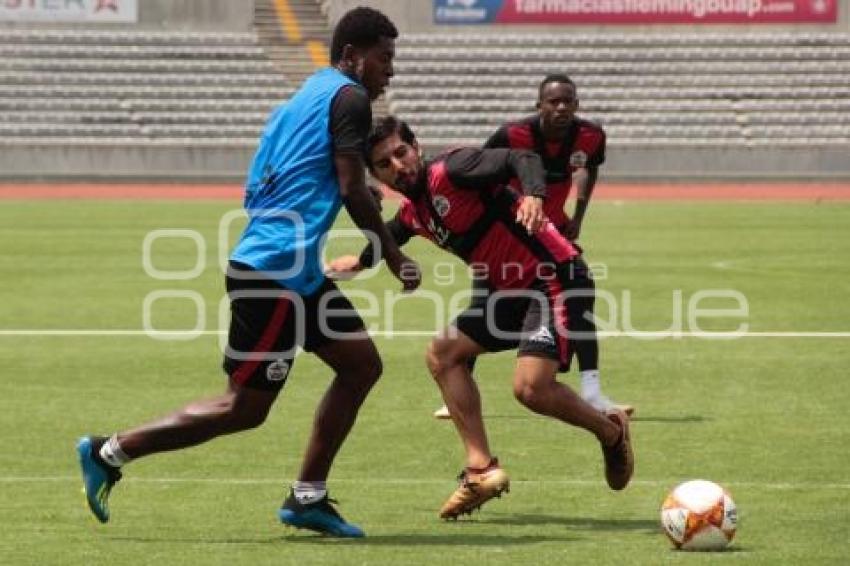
(693, 12)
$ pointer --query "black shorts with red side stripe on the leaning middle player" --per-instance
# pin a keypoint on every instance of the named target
(533, 321)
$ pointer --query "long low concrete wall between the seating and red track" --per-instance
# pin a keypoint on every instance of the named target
(229, 163)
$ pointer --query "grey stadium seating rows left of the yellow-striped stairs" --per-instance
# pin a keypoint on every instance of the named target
(75, 87)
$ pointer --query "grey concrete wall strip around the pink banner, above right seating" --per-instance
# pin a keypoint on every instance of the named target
(415, 16)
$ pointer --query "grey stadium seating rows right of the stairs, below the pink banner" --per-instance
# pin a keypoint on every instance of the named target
(772, 89)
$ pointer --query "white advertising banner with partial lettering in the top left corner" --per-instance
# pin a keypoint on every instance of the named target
(49, 11)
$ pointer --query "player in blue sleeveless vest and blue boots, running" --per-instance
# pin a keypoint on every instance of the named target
(308, 164)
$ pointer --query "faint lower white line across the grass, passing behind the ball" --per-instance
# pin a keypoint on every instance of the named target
(782, 486)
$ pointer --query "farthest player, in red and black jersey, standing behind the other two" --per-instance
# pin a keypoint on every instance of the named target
(572, 149)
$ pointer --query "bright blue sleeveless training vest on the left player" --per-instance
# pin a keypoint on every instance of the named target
(292, 193)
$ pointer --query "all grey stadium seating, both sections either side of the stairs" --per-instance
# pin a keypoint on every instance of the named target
(79, 87)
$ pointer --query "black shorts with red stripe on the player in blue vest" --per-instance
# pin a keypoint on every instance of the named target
(269, 323)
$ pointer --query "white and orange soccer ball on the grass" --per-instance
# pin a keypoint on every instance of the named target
(699, 515)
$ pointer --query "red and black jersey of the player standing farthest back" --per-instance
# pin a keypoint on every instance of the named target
(582, 146)
